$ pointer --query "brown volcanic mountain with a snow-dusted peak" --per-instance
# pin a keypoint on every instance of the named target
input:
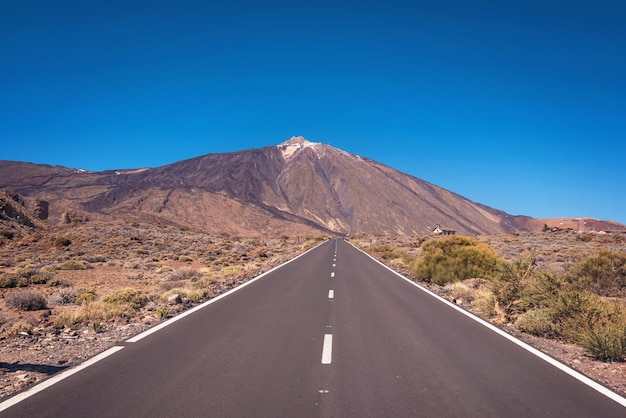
(297, 187)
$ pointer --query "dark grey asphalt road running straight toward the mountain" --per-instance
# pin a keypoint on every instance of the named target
(330, 334)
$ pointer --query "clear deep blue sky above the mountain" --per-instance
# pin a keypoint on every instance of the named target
(519, 105)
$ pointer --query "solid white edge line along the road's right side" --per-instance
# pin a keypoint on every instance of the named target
(573, 373)
